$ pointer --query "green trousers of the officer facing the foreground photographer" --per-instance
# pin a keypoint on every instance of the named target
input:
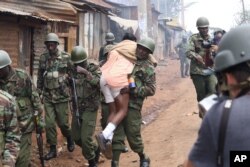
(204, 85)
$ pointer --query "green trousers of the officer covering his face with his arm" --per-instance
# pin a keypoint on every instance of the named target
(83, 134)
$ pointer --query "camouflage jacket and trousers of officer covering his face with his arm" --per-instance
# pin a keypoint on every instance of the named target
(88, 96)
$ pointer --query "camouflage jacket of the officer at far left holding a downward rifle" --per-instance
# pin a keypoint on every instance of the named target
(20, 85)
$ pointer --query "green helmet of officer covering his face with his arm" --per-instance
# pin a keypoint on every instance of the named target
(78, 55)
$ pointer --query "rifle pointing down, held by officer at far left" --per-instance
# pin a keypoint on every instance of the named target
(39, 138)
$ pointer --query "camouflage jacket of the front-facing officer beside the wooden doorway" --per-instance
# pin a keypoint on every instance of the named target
(52, 79)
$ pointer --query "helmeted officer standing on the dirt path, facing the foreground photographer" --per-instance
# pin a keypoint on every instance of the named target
(201, 69)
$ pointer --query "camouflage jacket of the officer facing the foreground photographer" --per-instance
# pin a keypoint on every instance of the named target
(195, 48)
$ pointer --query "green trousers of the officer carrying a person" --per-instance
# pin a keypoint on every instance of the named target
(131, 128)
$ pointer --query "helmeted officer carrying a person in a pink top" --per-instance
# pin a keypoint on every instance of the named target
(144, 76)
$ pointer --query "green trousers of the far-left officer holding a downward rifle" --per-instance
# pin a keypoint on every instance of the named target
(24, 155)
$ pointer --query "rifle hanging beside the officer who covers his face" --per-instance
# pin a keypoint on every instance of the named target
(75, 101)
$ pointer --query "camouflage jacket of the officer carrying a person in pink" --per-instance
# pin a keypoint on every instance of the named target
(144, 76)
